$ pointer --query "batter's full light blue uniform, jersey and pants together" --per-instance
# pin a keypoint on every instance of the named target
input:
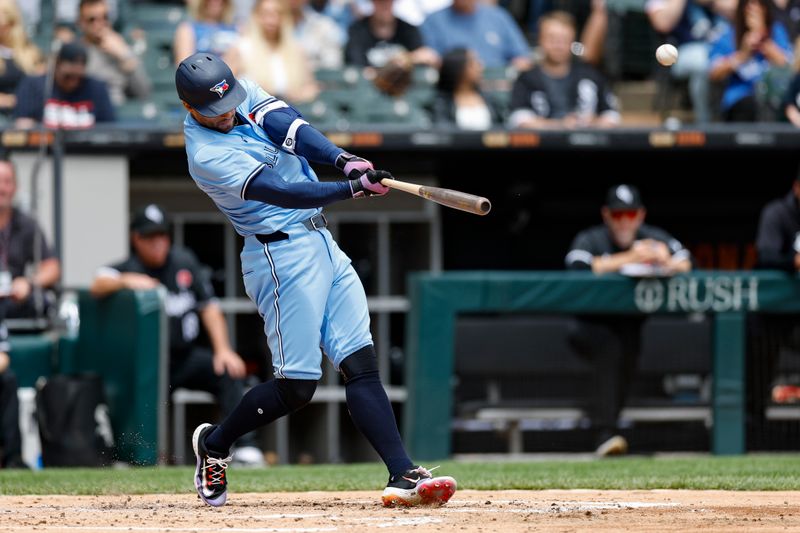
(305, 287)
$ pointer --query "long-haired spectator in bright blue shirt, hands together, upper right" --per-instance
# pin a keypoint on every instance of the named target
(745, 55)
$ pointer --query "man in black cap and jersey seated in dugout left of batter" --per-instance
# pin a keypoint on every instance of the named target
(190, 302)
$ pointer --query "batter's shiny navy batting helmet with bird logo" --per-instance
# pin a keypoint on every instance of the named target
(206, 82)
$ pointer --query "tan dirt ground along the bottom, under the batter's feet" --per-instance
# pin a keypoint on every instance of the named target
(468, 511)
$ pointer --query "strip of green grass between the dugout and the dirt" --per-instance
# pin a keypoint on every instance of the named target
(750, 472)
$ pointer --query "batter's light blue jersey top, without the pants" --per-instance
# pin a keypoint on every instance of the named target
(222, 164)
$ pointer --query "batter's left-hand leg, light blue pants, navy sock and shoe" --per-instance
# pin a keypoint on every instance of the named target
(289, 281)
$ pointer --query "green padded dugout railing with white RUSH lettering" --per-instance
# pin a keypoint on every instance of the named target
(437, 299)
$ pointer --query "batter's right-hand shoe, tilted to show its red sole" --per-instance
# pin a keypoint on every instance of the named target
(418, 487)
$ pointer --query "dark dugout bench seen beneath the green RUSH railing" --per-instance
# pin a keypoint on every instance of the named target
(520, 372)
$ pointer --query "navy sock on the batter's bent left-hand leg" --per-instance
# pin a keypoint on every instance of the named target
(259, 406)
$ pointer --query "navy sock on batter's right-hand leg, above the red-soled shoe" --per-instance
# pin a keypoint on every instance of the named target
(373, 416)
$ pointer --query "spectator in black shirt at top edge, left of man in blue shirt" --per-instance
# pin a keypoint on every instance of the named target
(374, 40)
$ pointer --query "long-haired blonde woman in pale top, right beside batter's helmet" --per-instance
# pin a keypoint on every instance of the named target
(269, 40)
